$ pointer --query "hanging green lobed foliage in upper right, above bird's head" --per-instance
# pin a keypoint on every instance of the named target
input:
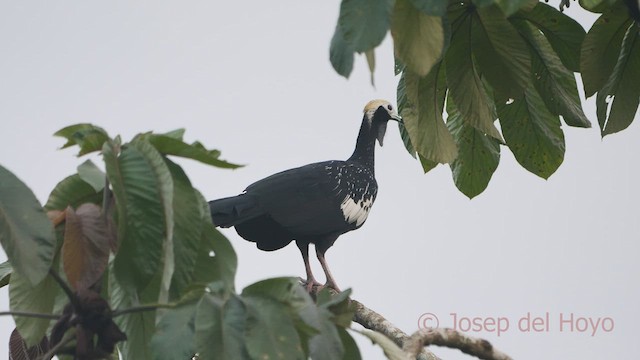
(494, 62)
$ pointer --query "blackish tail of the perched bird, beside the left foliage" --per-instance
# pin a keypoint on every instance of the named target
(233, 210)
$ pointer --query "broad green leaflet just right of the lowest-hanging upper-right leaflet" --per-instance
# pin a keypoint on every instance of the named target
(533, 134)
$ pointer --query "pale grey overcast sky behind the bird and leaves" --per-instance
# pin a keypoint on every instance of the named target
(253, 80)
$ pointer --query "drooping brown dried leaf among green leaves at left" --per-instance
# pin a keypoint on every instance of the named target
(85, 251)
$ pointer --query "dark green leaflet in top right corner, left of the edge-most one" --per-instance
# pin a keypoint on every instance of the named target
(601, 47)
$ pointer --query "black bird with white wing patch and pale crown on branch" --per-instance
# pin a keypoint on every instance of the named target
(311, 204)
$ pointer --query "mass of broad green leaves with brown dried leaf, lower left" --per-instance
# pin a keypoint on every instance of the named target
(128, 258)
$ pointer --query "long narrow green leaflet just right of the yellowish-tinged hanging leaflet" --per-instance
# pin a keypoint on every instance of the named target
(465, 86)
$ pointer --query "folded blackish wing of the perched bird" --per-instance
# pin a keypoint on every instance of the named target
(303, 200)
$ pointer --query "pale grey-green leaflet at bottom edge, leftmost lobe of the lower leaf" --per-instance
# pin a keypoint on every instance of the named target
(175, 336)
